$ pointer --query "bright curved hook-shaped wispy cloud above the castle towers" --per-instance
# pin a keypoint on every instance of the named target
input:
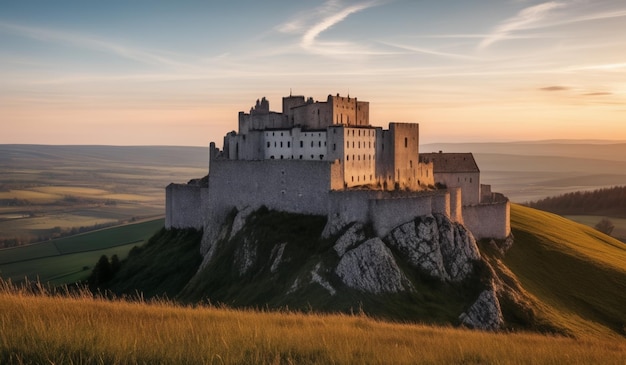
(332, 12)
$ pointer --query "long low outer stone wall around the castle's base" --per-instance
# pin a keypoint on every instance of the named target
(316, 187)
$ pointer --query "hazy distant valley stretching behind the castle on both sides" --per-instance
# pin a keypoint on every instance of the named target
(52, 191)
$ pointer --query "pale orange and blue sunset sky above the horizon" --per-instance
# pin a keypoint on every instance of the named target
(137, 72)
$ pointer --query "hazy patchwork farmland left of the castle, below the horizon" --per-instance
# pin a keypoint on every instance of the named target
(48, 192)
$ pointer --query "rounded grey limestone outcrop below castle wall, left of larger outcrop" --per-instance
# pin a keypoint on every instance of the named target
(371, 268)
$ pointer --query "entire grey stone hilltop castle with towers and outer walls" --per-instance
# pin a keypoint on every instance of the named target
(324, 158)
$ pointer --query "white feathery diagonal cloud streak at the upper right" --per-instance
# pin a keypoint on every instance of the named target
(525, 19)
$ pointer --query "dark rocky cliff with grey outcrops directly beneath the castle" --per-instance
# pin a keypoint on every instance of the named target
(428, 269)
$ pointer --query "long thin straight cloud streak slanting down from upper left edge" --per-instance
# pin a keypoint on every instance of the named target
(91, 43)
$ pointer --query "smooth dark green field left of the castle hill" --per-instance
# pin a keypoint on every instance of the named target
(70, 259)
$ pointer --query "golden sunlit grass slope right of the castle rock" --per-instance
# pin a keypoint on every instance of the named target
(576, 271)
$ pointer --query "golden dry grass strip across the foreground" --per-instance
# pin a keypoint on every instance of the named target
(79, 329)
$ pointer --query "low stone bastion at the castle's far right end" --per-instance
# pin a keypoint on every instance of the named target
(488, 220)
